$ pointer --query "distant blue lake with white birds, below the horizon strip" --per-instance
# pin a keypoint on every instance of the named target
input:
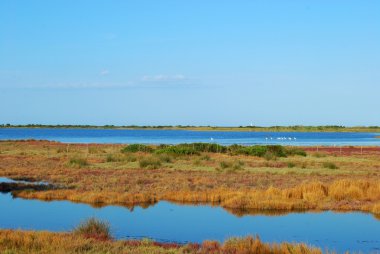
(180, 136)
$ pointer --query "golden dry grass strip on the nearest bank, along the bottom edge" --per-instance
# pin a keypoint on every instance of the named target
(31, 242)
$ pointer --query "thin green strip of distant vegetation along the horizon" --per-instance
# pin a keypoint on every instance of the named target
(295, 128)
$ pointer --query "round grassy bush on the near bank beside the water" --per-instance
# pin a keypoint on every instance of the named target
(94, 228)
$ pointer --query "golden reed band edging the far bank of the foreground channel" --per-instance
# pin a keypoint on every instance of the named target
(340, 195)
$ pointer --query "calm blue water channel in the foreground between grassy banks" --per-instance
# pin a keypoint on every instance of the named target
(179, 223)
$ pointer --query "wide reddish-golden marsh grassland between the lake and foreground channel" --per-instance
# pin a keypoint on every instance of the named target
(107, 176)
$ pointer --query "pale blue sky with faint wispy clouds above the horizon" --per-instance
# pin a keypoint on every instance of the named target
(193, 62)
